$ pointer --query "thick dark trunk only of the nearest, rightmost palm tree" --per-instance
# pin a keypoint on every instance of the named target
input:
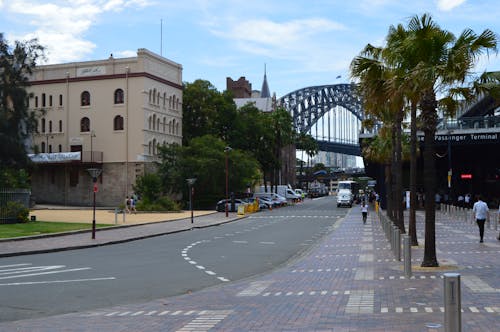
(429, 120)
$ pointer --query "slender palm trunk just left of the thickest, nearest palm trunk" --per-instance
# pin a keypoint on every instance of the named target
(412, 227)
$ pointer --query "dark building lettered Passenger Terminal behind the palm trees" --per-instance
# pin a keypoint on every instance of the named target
(467, 155)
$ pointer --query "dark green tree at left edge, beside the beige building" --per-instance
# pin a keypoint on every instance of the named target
(17, 123)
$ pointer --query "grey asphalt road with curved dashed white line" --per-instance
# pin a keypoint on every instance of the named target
(144, 270)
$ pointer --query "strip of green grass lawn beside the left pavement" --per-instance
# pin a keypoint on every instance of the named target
(42, 227)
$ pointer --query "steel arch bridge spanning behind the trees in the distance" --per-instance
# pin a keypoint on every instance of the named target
(309, 105)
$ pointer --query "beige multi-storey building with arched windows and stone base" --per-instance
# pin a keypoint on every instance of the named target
(109, 114)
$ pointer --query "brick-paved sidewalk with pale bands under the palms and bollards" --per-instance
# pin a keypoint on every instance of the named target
(349, 282)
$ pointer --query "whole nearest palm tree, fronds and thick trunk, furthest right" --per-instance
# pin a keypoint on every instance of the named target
(442, 61)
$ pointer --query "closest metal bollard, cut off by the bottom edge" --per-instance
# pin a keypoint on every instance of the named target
(452, 303)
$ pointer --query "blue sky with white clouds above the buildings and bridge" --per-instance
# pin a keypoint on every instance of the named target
(301, 43)
